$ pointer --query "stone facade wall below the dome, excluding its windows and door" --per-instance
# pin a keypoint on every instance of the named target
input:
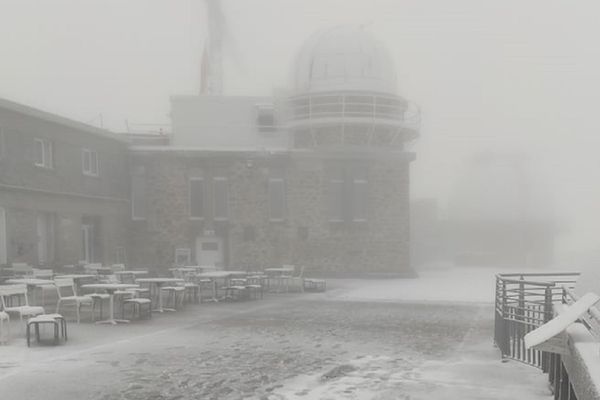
(306, 236)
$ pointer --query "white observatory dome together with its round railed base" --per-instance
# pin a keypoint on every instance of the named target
(345, 95)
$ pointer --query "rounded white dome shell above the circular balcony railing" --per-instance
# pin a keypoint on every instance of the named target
(345, 58)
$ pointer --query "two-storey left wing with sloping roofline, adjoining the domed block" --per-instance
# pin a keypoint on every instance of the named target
(64, 190)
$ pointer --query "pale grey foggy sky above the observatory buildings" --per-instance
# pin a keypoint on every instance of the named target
(508, 75)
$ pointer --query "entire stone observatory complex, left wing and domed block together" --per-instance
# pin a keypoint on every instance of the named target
(318, 176)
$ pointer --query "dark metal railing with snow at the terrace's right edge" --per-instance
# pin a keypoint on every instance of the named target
(527, 301)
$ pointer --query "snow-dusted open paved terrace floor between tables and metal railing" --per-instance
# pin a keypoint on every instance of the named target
(360, 340)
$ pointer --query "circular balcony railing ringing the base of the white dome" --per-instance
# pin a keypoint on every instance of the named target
(351, 105)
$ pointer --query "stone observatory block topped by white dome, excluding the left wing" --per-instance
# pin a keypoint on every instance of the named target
(317, 177)
